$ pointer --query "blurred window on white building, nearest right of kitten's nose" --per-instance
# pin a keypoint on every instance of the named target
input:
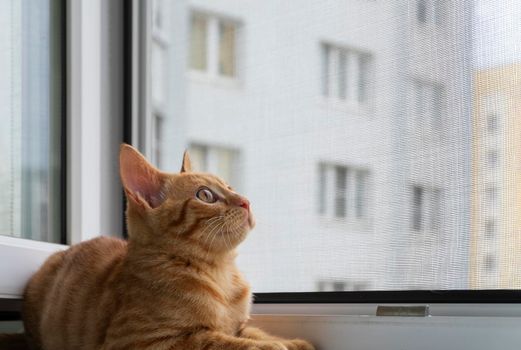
(343, 192)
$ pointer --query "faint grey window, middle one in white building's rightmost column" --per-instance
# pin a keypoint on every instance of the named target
(428, 105)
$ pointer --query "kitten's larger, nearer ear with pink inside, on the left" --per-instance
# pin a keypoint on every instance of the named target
(142, 181)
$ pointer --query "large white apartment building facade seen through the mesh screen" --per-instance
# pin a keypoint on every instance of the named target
(346, 123)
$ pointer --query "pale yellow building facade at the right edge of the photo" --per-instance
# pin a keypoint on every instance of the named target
(496, 185)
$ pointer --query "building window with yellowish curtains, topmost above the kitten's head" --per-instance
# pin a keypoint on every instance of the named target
(213, 45)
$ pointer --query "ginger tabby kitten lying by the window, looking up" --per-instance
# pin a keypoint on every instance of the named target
(174, 285)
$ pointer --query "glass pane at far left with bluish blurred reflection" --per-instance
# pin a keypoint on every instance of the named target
(31, 119)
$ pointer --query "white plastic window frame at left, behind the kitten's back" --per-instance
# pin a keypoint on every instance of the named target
(93, 195)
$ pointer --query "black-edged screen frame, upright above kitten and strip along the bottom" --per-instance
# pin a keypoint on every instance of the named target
(136, 24)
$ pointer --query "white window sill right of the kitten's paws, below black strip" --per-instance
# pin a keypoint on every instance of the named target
(355, 326)
